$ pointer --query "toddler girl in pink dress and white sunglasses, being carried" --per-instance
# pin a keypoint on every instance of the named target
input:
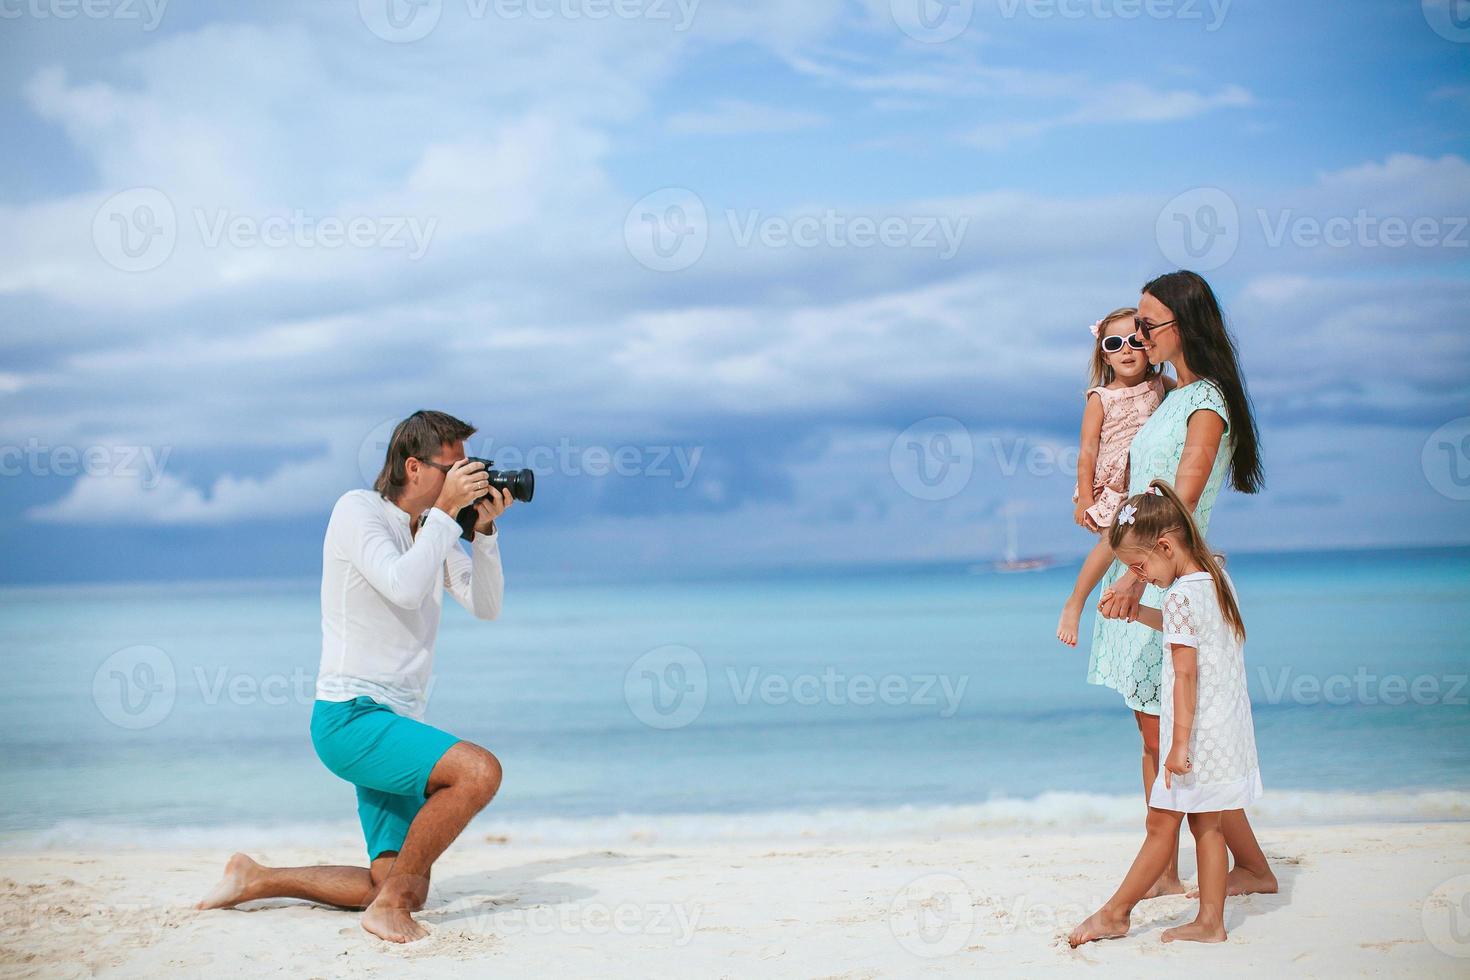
(1125, 392)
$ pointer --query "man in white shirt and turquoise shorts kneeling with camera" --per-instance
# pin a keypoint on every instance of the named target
(389, 556)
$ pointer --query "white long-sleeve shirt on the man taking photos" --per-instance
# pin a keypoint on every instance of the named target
(383, 590)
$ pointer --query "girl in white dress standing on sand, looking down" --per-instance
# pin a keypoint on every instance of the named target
(1208, 741)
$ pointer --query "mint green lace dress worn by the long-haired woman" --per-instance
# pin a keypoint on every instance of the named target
(1130, 657)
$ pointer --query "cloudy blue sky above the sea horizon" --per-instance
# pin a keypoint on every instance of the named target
(650, 237)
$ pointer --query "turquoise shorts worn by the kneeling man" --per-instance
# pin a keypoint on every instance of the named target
(384, 754)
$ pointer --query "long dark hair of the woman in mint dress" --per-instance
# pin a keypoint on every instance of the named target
(1211, 353)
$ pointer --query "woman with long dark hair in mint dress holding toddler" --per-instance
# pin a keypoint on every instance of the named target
(1199, 436)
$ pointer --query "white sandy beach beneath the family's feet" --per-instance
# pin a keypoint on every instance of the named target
(1353, 903)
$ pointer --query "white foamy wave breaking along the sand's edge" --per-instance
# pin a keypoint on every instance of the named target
(1049, 812)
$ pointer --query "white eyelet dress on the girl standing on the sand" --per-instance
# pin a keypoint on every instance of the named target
(1222, 743)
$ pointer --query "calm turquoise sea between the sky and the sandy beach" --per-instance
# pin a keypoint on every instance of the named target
(928, 697)
